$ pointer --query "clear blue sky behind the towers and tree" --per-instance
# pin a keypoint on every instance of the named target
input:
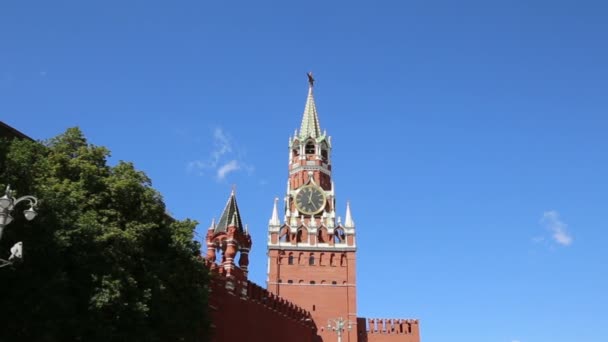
(469, 136)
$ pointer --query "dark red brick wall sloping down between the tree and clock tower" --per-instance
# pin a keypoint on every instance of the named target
(243, 311)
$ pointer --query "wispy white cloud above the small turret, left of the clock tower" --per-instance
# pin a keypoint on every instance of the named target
(223, 159)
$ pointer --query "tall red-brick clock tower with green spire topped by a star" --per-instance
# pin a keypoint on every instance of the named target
(311, 251)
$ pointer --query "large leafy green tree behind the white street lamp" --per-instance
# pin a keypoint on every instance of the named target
(103, 261)
